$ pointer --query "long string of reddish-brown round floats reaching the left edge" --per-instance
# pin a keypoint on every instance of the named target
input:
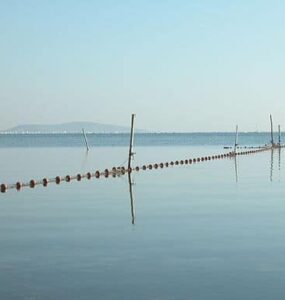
(119, 171)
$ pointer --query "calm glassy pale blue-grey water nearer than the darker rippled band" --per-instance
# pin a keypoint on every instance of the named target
(205, 231)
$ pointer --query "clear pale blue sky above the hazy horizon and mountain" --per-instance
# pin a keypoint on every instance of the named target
(180, 65)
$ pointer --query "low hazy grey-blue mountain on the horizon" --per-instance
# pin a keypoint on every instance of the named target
(72, 127)
